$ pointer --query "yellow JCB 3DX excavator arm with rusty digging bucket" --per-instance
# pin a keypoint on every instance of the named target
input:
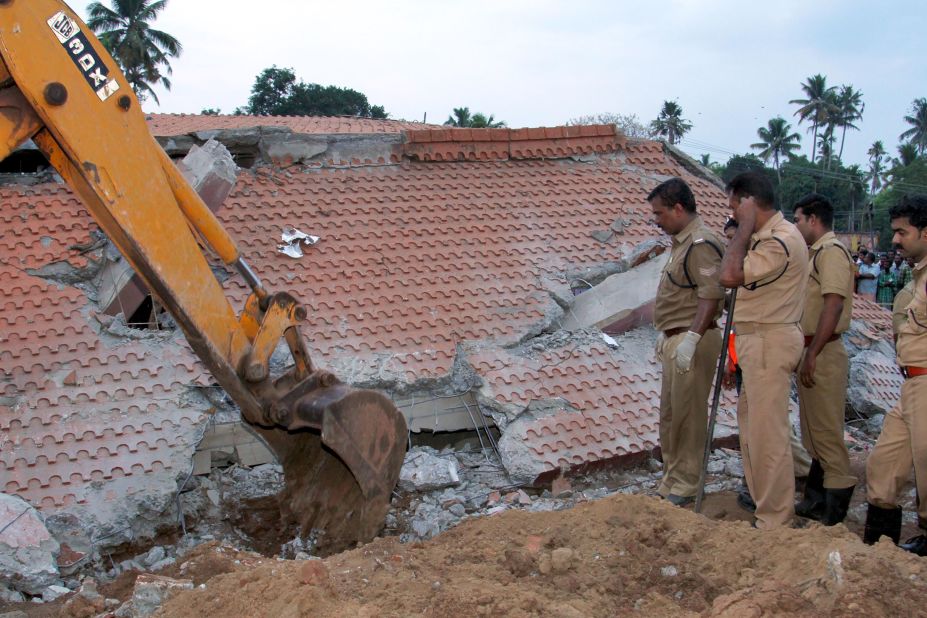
(341, 447)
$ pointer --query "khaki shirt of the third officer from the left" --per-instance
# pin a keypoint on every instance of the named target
(831, 272)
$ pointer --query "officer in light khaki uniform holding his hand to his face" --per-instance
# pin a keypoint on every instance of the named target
(767, 260)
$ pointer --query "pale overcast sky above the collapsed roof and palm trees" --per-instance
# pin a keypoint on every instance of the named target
(731, 65)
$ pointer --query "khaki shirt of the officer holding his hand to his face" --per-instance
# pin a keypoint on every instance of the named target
(775, 275)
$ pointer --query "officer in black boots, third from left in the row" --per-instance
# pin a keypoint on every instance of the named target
(823, 374)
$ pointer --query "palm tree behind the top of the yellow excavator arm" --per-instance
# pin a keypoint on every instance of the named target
(142, 52)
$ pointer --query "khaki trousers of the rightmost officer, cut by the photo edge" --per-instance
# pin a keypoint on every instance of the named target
(901, 446)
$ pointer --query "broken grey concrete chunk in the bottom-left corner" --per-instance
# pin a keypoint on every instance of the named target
(28, 551)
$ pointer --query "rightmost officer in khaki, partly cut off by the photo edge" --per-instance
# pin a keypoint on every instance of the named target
(903, 441)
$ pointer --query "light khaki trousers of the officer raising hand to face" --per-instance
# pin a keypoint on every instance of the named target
(768, 356)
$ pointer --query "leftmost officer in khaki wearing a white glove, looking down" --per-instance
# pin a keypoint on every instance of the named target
(686, 310)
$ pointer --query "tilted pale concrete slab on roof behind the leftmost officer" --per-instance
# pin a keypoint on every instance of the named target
(620, 303)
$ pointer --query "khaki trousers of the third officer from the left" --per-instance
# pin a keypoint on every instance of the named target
(822, 416)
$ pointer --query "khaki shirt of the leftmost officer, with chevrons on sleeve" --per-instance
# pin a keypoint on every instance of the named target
(696, 252)
